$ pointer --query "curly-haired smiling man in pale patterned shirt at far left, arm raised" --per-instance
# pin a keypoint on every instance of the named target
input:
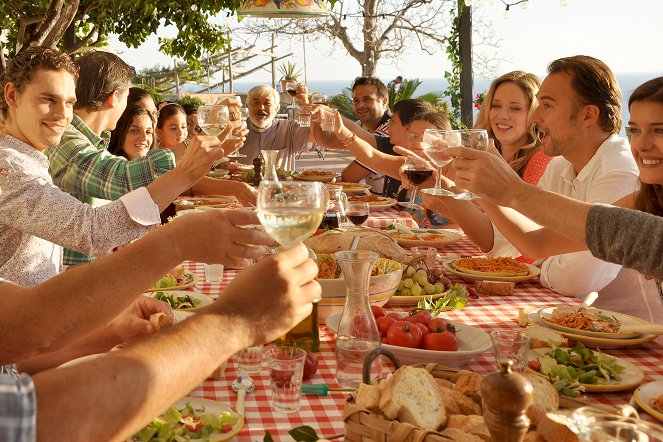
(36, 217)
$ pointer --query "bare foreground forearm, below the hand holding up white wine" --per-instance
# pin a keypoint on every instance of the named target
(135, 380)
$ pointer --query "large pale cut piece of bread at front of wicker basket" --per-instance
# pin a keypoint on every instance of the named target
(411, 395)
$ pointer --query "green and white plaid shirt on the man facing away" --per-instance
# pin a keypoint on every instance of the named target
(82, 167)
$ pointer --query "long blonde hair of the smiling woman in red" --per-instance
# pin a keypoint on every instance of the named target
(530, 84)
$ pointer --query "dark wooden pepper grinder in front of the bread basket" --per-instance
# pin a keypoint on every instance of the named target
(506, 398)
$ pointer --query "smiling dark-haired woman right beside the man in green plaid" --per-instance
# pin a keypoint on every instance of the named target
(133, 135)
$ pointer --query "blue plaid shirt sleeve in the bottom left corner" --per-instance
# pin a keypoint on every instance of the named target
(18, 406)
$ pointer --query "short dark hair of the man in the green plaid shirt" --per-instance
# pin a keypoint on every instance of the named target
(101, 73)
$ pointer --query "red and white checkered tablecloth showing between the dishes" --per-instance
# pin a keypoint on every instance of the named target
(325, 414)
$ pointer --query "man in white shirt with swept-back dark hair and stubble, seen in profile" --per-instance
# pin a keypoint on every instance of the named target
(578, 118)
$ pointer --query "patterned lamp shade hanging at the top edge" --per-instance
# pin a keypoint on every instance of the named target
(283, 8)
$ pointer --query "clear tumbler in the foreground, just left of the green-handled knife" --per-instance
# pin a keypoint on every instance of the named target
(286, 370)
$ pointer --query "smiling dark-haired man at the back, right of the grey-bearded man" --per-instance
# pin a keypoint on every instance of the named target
(370, 100)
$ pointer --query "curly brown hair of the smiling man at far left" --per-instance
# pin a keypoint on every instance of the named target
(21, 69)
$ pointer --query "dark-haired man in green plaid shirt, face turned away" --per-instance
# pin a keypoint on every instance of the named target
(81, 164)
